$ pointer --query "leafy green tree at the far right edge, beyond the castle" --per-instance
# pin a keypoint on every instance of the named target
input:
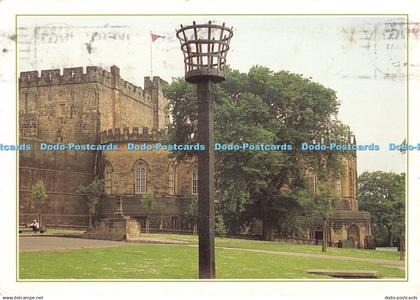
(383, 195)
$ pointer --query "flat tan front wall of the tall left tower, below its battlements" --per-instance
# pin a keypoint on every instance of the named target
(59, 113)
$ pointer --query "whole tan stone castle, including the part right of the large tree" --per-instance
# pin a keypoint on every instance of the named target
(96, 106)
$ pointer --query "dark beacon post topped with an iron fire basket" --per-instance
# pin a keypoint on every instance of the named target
(205, 47)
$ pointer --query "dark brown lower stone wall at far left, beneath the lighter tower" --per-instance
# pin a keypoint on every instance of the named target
(61, 172)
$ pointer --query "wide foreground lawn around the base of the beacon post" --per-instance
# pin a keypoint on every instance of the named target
(148, 261)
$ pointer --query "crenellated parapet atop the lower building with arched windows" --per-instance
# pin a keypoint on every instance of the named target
(134, 134)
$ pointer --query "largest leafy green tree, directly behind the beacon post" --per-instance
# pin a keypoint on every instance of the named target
(262, 107)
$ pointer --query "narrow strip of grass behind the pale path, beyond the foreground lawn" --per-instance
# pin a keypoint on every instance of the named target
(286, 247)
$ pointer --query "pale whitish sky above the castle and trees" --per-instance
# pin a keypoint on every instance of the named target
(362, 58)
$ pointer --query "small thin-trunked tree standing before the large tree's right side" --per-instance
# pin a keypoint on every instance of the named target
(319, 207)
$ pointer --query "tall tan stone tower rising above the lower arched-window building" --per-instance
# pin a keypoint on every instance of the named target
(77, 106)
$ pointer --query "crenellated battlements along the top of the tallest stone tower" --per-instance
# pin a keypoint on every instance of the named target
(76, 75)
